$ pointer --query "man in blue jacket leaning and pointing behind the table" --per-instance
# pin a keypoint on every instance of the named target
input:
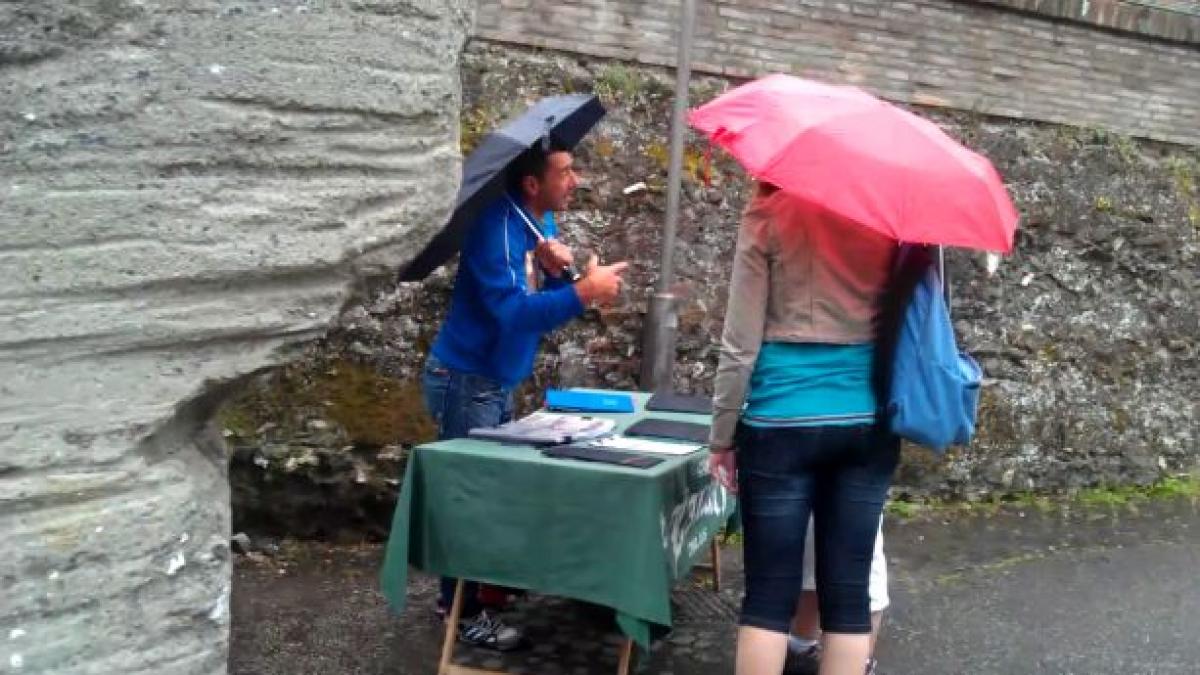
(514, 285)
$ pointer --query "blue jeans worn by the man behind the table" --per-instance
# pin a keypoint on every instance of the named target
(459, 403)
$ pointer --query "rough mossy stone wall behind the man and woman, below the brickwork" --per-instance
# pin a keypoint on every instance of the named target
(1088, 333)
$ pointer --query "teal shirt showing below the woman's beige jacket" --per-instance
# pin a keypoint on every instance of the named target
(811, 385)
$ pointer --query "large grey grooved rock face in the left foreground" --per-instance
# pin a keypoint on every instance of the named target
(185, 188)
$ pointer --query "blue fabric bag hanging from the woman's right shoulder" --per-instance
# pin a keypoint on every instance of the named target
(934, 395)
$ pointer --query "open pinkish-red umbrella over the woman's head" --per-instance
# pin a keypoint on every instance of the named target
(863, 159)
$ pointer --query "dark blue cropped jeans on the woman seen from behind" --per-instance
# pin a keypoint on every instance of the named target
(841, 476)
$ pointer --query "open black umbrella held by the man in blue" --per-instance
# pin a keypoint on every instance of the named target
(563, 121)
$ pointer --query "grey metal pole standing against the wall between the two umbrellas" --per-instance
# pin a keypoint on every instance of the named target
(659, 343)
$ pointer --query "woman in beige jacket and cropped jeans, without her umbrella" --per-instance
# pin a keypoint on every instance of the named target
(795, 396)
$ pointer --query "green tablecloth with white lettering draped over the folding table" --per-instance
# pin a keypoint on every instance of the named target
(508, 516)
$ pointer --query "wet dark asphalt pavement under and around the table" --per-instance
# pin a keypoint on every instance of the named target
(1017, 592)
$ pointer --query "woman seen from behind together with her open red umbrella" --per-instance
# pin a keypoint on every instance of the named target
(843, 180)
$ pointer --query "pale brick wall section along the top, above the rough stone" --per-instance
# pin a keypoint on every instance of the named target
(979, 57)
